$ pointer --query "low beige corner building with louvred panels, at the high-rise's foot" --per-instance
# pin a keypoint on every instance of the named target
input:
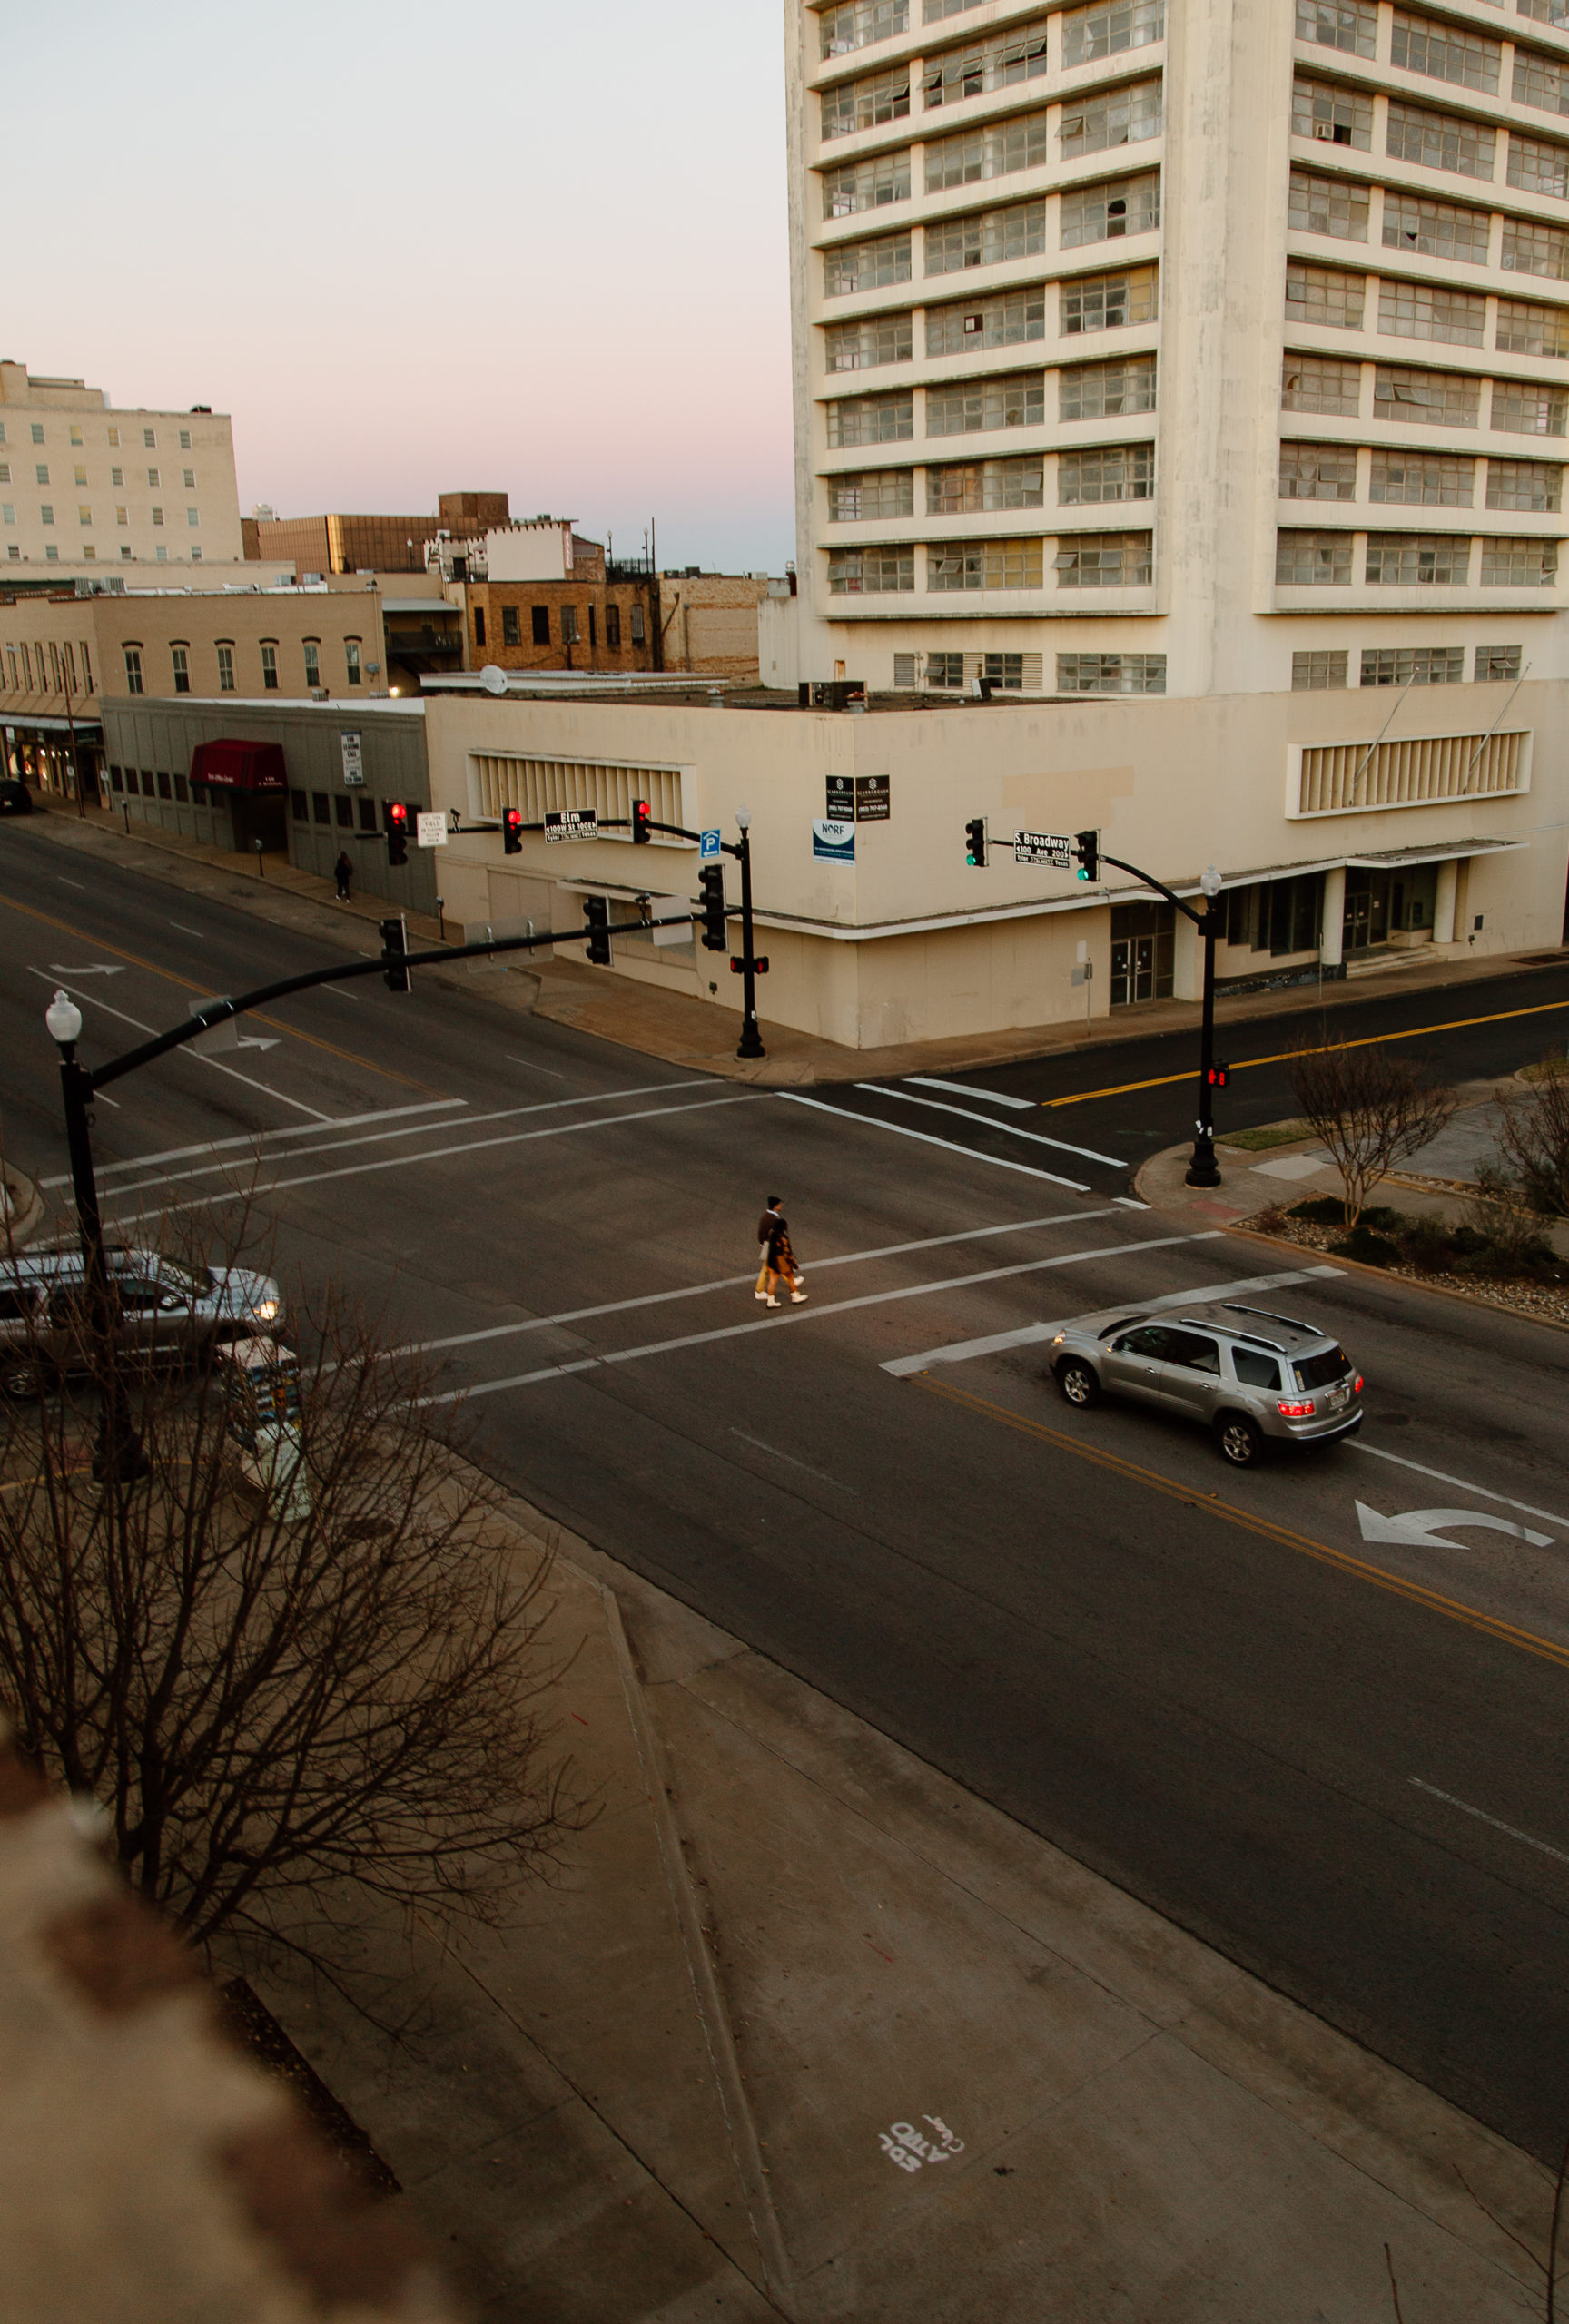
(903, 940)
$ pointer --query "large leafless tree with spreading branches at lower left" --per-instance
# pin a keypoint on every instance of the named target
(282, 1721)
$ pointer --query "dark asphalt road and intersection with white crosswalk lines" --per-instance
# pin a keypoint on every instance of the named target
(1340, 1760)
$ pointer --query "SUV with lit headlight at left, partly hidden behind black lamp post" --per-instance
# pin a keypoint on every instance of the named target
(162, 1310)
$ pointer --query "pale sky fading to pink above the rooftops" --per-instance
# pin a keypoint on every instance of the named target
(533, 248)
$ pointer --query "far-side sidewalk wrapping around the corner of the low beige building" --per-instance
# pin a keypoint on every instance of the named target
(694, 1033)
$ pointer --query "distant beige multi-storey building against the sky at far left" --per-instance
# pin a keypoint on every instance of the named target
(94, 489)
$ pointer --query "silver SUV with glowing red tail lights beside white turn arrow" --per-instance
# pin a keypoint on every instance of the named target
(1242, 1372)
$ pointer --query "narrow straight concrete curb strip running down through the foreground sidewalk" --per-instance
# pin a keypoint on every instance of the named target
(745, 2144)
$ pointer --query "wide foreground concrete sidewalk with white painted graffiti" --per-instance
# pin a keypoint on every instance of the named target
(810, 2032)
